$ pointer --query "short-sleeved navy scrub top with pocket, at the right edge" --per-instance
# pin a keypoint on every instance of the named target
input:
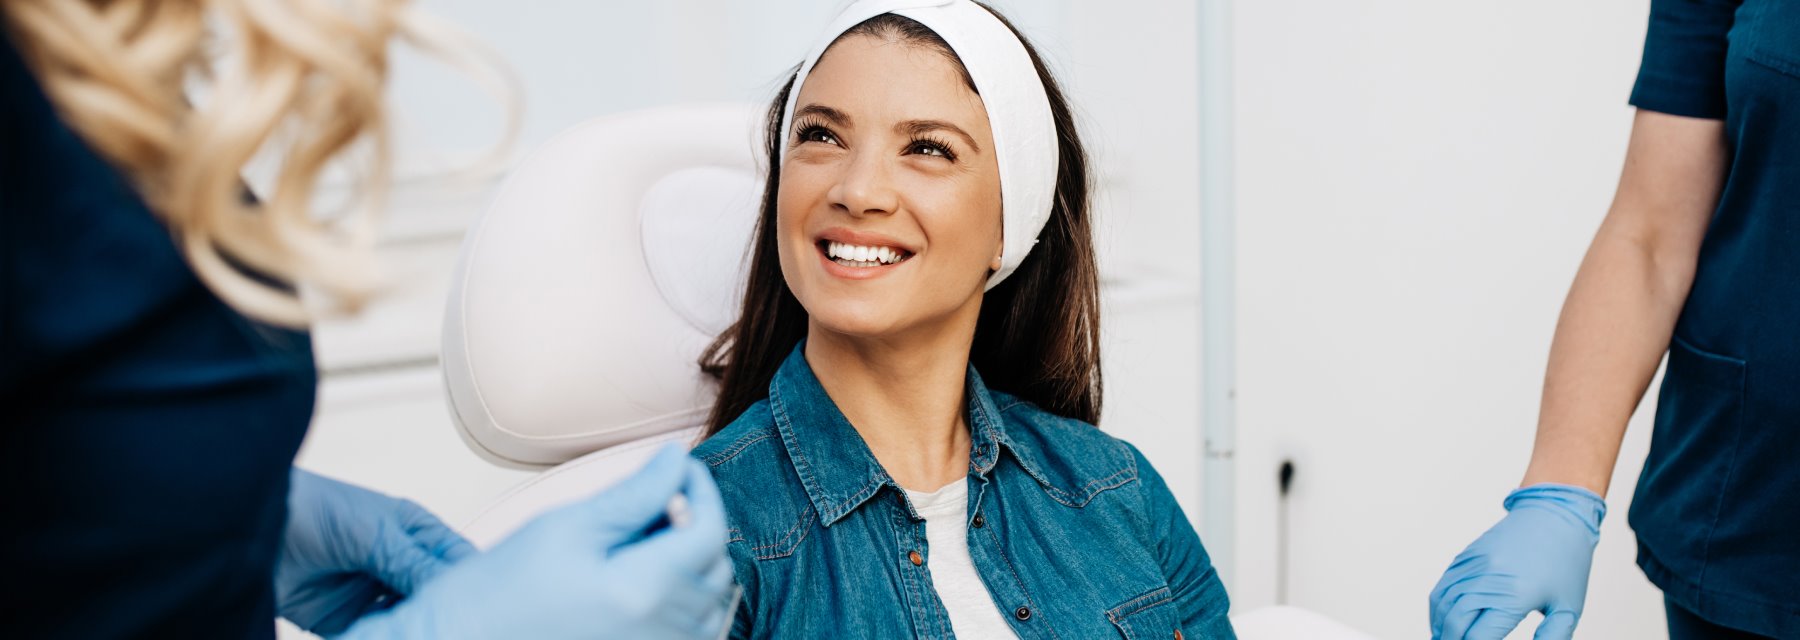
(1718, 506)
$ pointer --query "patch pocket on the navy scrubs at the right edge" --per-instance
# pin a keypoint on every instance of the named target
(1700, 418)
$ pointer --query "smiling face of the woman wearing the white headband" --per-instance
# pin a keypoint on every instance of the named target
(890, 200)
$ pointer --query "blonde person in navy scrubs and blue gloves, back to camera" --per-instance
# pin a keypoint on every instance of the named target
(150, 425)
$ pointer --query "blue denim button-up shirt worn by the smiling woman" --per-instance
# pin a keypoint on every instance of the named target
(1072, 531)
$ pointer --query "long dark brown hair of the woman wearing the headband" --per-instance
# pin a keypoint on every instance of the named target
(1039, 330)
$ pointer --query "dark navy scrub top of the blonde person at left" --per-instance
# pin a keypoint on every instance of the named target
(148, 429)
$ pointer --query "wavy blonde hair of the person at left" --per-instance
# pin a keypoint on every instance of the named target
(183, 94)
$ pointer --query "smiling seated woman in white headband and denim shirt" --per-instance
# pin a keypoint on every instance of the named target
(904, 431)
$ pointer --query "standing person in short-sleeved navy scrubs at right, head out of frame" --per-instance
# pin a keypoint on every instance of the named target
(1700, 258)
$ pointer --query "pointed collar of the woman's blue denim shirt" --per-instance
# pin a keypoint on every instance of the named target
(836, 465)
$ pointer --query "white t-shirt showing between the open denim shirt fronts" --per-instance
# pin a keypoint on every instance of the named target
(973, 610)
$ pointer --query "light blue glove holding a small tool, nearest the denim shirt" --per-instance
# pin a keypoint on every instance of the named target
(606, 567)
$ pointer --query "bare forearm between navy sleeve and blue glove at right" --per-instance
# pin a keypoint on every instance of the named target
(1626, 298)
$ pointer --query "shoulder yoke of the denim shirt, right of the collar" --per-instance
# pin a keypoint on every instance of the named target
(1072, 458)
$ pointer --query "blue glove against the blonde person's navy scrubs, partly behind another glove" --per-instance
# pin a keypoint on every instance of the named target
(350, 551)
